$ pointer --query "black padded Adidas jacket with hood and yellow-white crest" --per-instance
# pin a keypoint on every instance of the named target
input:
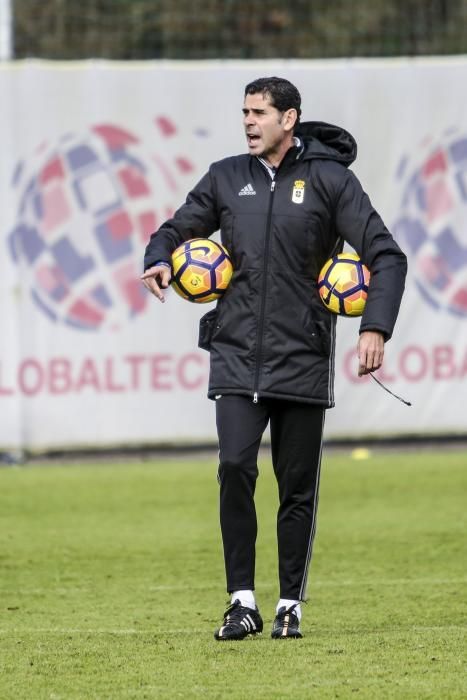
(270, 335)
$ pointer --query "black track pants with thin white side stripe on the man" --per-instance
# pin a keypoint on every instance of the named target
(296, 441)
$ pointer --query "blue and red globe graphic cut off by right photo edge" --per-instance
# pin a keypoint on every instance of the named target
(432, 225)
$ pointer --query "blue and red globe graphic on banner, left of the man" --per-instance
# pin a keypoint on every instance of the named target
(87, 206)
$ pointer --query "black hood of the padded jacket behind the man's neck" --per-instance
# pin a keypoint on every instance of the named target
(327, 141)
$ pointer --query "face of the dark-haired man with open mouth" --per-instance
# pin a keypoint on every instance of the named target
(265, 127)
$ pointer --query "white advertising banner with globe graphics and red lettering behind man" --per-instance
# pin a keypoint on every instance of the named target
(95, 155)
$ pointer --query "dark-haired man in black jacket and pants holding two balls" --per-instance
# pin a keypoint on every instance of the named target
(283, 209)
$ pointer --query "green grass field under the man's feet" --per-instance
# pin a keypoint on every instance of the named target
(112, 583)
